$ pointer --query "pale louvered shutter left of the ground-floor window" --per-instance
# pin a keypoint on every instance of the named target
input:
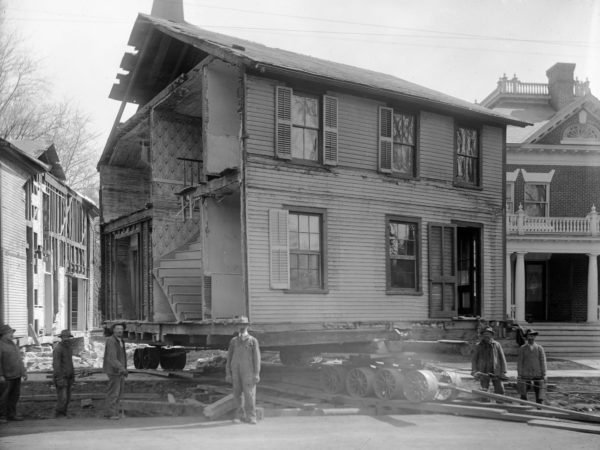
(279, 258)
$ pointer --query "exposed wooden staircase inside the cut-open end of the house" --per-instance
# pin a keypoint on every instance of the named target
(179, 274)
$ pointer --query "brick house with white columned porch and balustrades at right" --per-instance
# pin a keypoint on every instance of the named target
(552, 192)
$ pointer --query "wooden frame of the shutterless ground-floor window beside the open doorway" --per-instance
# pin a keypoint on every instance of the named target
(418, 290)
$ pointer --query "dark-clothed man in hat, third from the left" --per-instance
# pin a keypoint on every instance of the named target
(115, 366)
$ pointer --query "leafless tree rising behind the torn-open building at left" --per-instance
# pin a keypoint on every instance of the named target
(25, 115)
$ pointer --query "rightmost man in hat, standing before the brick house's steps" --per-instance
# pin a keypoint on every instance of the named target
(531, 368)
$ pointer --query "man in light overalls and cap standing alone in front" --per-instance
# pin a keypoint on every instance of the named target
(243, 370)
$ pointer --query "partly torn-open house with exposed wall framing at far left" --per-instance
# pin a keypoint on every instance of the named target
(47, 241)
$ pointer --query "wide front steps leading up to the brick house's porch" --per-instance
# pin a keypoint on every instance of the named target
(565, 339)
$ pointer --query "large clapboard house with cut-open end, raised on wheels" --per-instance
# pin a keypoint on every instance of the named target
(295, 190)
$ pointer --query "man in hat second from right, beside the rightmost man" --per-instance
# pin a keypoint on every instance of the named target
(489, 362)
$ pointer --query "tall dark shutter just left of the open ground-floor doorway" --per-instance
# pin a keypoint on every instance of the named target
(442, 270)
